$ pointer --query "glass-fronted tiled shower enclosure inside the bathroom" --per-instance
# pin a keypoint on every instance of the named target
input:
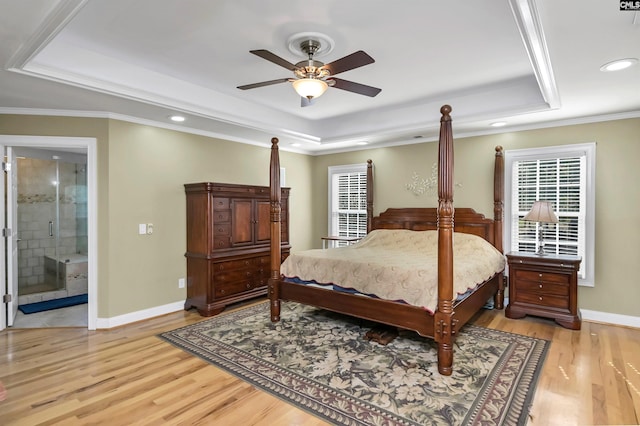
(52, 224)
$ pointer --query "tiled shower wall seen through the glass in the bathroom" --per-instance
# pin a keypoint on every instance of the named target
(37, 206)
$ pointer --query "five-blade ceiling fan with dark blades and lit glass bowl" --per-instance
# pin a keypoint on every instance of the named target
(312, 78)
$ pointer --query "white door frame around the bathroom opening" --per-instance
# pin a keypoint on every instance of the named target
(71, 143)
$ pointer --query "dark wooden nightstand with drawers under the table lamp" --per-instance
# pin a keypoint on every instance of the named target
(545, 286)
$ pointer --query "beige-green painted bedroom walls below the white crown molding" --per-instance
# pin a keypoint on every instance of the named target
(142, 170)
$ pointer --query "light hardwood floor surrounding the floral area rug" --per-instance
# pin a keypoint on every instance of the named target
(127, 376)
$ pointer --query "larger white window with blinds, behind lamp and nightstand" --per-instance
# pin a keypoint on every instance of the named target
(564, 176)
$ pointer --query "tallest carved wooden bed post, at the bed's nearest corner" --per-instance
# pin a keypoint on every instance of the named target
(444, 322)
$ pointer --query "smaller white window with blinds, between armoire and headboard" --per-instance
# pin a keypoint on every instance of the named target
(348, 201)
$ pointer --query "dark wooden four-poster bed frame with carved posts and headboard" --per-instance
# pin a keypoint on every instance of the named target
(450, 314)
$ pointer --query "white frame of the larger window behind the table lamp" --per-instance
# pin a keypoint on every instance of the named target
(586, 276)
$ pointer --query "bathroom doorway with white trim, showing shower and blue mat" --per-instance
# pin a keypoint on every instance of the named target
(50, 227)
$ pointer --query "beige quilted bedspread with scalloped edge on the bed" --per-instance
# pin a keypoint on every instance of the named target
(398, 264)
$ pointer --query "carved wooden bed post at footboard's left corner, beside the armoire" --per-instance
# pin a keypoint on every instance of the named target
(274, 185)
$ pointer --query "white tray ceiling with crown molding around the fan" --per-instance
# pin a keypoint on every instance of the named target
(530, 63)
